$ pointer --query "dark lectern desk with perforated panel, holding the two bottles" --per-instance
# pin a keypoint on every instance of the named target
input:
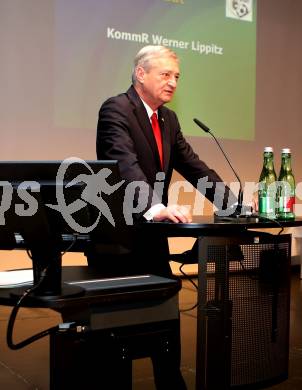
(243, 300)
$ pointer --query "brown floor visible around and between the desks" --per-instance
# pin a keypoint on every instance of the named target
(27, 369)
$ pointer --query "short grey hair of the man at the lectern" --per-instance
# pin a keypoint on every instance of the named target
(148, 53)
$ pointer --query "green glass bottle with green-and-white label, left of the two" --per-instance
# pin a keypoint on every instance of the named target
(267, 186)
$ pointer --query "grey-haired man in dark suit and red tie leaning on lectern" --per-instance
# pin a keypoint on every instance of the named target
(147, 153)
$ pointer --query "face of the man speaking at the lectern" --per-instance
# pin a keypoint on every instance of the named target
(158, 84)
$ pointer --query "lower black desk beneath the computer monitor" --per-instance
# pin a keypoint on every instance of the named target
(115, 321)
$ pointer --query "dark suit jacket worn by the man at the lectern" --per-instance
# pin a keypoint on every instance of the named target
(124, 133)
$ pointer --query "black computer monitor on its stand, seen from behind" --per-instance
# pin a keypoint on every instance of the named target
(43, 202)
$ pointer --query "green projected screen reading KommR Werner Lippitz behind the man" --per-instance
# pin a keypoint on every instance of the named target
(96, 40)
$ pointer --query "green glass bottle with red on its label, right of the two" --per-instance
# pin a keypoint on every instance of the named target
(286, 187)
